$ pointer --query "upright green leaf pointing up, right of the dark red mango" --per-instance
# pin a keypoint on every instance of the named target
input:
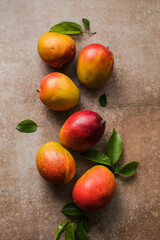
(114, 147)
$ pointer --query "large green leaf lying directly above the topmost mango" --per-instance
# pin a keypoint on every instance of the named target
(66, 28)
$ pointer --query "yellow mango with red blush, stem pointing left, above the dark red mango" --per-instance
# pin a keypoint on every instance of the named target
(58, 92)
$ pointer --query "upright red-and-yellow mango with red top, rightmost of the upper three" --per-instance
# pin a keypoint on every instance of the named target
(95, 65)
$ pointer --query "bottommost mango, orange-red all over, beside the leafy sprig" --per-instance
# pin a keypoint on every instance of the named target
(95, 189)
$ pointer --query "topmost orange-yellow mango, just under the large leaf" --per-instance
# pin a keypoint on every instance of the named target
(56, 49)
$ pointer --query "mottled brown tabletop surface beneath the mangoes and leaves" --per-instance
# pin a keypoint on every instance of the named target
(29, 206)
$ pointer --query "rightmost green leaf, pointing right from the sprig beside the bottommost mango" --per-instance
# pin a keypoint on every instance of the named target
(129, 169)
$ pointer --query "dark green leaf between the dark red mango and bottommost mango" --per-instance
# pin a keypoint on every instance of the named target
(96, 156)
